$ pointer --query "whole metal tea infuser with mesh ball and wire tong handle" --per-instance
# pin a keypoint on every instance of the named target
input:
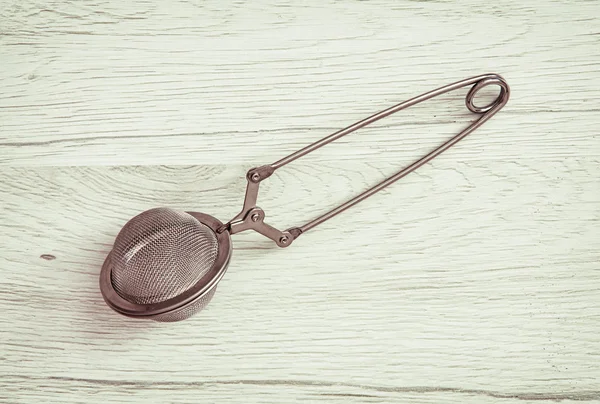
(165, 264)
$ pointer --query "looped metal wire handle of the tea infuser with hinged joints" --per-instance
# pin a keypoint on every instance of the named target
(252, 217)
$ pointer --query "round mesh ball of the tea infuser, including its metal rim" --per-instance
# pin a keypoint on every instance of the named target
(165, 264)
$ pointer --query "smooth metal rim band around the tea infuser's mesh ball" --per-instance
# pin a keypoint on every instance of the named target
(203, 286)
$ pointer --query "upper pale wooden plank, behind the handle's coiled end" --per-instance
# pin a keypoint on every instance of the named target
(189, 84)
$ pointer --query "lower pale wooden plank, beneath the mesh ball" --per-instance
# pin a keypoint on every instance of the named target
(479, 285)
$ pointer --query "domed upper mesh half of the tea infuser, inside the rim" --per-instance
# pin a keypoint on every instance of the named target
(160, 254)
